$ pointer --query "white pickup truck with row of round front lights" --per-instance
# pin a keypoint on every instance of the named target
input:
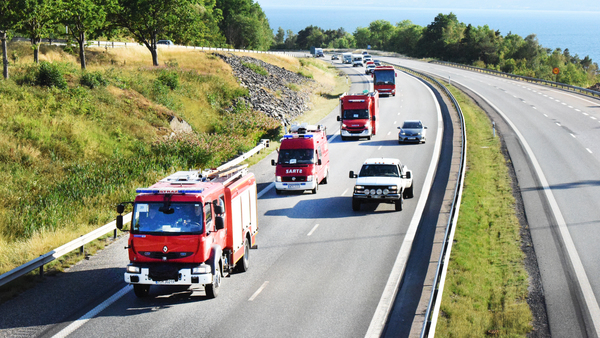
(382, 180)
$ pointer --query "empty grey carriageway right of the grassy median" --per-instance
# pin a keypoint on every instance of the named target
(553, 140)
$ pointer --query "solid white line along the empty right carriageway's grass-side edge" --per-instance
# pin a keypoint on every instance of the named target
(584, 284)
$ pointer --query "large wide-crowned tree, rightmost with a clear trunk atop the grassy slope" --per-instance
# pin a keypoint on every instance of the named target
(180, 20)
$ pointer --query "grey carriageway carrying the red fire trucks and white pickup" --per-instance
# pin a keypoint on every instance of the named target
(319, 271)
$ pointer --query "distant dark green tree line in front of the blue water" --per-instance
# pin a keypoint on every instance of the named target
(450, 40)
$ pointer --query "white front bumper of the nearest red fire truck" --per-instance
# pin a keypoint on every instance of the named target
(201, 274)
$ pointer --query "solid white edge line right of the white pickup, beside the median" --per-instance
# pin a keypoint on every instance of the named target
(389, 293)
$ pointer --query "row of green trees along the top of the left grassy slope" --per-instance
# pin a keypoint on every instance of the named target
(222, 23)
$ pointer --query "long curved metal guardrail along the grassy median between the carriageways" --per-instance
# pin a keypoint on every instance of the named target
(433, 307)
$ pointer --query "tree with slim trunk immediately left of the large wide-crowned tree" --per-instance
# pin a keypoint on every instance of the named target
(84, 19)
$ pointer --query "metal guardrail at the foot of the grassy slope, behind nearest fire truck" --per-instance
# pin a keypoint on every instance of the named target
(42, 260)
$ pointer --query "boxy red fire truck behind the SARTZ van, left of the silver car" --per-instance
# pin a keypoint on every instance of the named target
(359, 115)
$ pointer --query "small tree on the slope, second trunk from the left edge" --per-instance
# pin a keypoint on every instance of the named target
(36, 20)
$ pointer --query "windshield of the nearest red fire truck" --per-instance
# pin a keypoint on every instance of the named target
(186, 218)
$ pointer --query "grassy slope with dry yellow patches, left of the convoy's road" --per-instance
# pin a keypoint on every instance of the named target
(69, 153)
